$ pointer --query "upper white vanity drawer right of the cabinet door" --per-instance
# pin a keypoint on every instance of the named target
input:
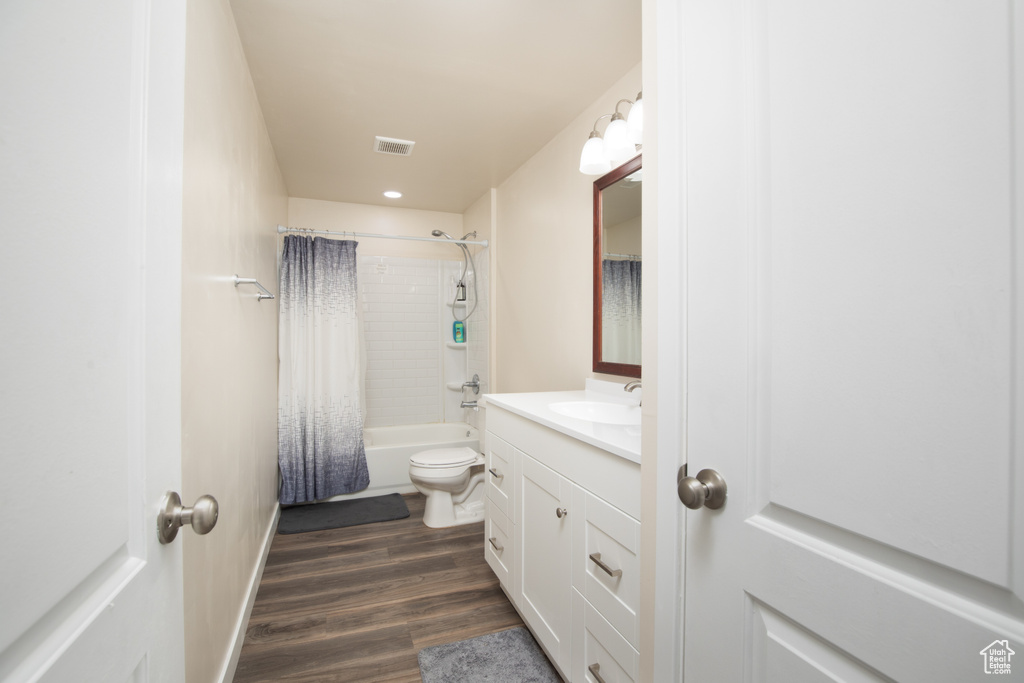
(607, 563)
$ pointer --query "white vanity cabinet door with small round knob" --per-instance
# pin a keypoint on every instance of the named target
(545, 558)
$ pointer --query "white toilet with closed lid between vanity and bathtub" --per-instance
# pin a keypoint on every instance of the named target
(454, 484)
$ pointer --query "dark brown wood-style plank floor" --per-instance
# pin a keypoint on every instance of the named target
(357, 605)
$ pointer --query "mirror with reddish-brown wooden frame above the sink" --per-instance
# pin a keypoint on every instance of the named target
(617, 271)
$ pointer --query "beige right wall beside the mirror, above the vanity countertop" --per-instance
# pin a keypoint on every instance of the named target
(544, 262)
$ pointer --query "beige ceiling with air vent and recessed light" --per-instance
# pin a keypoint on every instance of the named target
(480, 86)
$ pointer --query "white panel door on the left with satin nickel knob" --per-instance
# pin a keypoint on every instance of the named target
(91, 166)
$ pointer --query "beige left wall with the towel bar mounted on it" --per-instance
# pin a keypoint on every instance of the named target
(234, 198)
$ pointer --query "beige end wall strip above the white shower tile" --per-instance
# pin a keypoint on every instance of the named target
(338, 217)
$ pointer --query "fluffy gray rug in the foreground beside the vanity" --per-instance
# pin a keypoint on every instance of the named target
(507, 657)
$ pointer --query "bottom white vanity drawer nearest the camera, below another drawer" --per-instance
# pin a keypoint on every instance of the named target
(600, 651)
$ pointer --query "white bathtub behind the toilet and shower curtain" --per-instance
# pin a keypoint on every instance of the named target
(389, 450)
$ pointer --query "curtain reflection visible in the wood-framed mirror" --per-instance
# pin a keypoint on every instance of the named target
(622, 304)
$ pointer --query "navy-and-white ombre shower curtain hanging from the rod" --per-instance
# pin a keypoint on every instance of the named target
(320, 407)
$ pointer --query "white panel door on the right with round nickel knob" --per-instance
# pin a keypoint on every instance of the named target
(855, 338)
